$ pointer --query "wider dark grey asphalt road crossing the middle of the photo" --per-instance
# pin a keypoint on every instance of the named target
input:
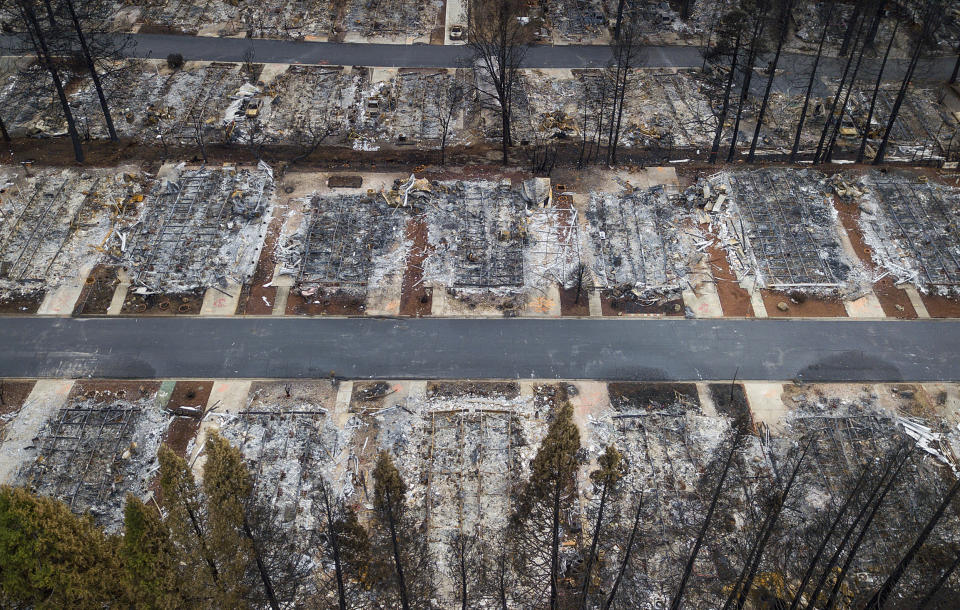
(615, 349)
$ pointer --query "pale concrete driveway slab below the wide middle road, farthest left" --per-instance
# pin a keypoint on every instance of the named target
(16, 446)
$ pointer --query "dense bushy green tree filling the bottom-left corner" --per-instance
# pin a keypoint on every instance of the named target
(51, 558)
